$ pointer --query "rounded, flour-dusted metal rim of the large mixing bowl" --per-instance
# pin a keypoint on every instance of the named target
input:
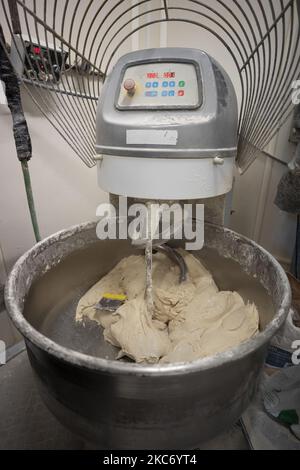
(110, 366)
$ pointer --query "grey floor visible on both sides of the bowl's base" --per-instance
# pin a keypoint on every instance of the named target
(26, 423)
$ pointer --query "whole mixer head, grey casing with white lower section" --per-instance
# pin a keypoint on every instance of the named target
(167, 126)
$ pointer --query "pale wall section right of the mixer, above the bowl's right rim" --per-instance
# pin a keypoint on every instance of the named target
(254, 212)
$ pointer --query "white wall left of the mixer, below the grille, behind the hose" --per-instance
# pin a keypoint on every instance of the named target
(65, 190)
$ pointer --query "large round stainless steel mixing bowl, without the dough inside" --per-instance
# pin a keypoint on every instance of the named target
(115, 404)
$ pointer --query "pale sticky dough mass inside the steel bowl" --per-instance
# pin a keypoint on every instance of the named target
(191, 320)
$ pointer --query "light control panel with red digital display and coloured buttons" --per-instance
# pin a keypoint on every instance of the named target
(160, 85)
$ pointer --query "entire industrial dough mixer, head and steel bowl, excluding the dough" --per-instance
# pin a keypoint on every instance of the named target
(166, 130)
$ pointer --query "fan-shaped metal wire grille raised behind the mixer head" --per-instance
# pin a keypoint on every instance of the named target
(261, 37)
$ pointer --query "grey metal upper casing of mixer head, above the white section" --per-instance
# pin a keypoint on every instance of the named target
(205, 130)
